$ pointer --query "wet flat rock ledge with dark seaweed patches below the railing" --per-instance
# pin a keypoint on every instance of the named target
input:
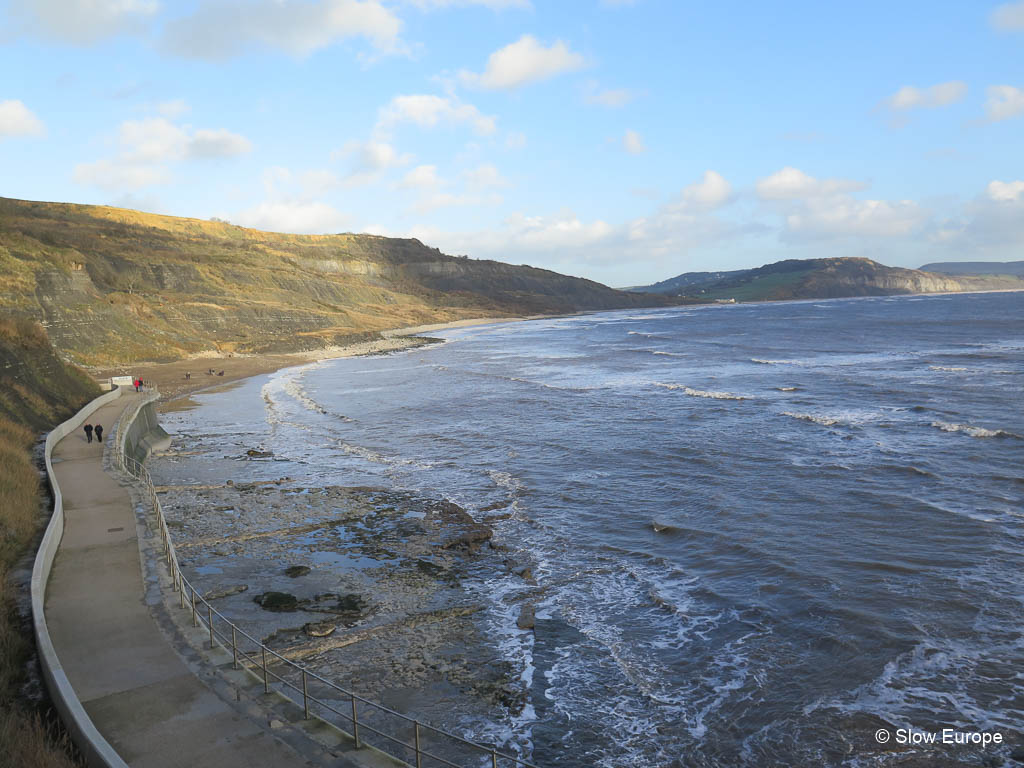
(366, 586)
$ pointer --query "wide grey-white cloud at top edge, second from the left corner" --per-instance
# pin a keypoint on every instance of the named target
(220, 29)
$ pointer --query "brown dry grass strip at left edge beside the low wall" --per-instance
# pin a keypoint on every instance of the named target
(26, 741)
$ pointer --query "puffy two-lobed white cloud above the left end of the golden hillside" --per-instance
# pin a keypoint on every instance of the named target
(148, 149)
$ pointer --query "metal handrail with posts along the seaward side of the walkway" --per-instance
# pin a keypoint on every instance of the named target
(191, 599)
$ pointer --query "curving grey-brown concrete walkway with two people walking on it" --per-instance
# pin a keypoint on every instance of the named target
(139, 692)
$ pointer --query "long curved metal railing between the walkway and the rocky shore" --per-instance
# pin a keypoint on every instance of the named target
(317, 696)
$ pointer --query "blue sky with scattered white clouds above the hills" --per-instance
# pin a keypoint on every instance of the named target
(622, 141)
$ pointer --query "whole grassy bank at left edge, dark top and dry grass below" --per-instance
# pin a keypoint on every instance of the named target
(37, 391)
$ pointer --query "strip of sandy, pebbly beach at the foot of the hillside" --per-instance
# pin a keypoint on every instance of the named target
(170, 377)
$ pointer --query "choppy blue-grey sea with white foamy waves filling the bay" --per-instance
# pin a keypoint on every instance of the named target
(759, 533)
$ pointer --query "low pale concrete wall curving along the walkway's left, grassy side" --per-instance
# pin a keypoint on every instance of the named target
(97, 751)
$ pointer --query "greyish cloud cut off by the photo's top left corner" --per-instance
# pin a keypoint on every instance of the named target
(82, 22)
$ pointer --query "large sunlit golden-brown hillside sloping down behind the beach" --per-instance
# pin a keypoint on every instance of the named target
(114, 286)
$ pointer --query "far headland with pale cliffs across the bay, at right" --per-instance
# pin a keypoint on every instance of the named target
(822, 279)
